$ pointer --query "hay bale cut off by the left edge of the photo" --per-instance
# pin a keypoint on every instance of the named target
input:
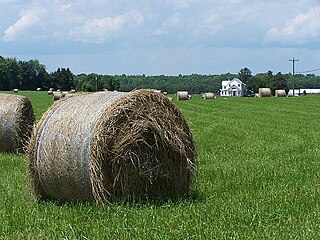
(16, 122)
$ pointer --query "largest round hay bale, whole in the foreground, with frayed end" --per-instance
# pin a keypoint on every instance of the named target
(107, 145)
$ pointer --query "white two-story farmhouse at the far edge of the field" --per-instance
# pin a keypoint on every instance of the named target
(232, 88)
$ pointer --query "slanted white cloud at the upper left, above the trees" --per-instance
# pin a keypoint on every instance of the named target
(28, 19)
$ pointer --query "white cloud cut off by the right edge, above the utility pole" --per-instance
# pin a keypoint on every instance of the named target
(301, 29)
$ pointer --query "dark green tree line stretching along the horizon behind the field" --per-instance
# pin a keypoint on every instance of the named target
(30, 75)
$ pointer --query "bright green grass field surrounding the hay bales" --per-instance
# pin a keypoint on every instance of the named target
(258, 178)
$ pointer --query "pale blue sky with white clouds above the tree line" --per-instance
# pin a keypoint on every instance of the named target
(163, 36)
